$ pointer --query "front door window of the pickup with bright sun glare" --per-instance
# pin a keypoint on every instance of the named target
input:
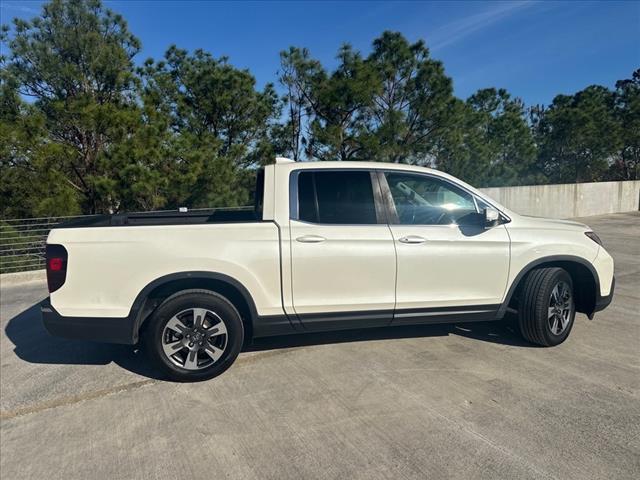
(424, 200)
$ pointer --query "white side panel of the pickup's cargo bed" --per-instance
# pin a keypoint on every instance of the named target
(109, 266)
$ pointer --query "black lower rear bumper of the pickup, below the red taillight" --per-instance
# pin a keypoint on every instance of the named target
(108, 330)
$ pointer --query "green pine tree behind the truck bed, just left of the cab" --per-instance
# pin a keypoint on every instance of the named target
(216, 126)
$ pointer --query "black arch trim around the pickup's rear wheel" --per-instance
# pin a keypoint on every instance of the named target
(157, 291)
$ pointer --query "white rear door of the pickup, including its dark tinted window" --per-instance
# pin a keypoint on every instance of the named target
(343, 261)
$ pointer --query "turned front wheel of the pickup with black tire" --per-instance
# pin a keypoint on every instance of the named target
(547, 307)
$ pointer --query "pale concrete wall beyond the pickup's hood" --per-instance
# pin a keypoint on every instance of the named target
(569, 200)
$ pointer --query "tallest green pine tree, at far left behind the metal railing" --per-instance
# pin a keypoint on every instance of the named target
(75, 63)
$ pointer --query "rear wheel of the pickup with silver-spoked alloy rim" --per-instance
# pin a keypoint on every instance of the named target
(194, 335)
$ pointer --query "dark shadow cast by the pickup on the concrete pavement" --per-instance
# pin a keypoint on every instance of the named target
(34, 344)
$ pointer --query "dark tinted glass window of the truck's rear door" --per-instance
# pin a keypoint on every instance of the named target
(336, 197)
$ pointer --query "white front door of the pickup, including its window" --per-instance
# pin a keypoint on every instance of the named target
(448, 263)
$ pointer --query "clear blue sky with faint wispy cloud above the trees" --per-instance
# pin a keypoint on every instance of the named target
(535, 49)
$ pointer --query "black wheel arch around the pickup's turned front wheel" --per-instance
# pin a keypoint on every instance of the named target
(586, 283)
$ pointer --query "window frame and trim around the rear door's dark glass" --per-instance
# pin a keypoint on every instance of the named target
(294, 207)
